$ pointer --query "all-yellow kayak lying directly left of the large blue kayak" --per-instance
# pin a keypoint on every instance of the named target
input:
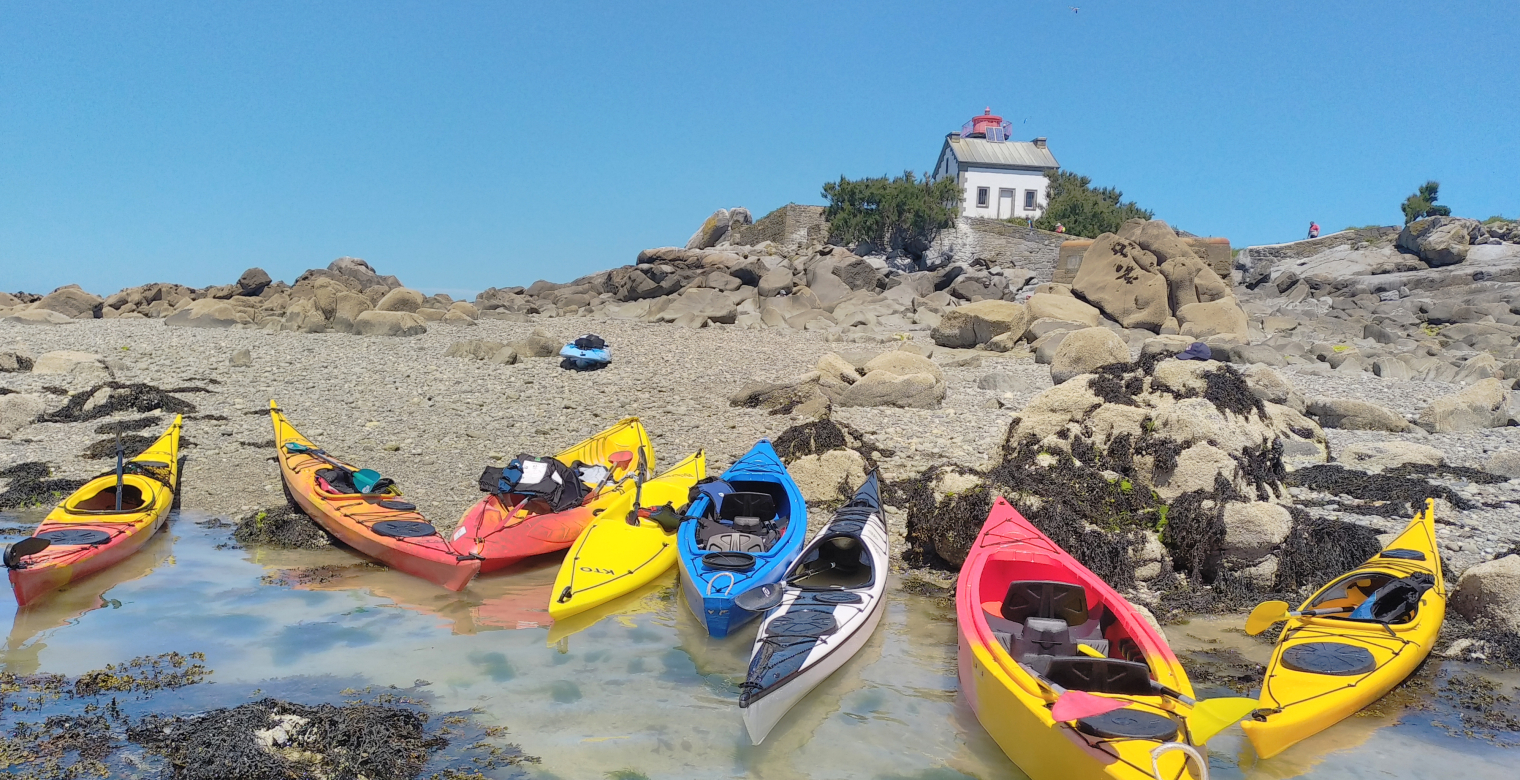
(613, 557)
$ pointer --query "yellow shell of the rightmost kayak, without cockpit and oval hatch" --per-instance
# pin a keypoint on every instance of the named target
(1299, 705)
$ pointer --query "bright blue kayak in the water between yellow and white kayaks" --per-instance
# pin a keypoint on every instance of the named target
(744, 530)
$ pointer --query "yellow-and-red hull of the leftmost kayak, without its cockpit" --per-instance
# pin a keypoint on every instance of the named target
(93, 509)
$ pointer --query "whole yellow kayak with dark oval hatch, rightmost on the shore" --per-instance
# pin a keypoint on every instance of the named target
(1384, 621)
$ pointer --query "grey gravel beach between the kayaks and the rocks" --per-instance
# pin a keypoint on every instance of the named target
(432, 422)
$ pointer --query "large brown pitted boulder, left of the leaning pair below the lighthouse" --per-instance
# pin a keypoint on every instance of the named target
(1123, 279)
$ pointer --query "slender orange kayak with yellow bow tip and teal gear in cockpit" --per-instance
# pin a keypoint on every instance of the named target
(379, 525)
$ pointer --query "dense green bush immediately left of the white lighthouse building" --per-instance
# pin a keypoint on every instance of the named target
(890, 212)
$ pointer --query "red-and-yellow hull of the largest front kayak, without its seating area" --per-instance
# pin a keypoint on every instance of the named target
(1015, 706)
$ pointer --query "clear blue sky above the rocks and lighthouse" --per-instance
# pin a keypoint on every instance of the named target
(473, 145)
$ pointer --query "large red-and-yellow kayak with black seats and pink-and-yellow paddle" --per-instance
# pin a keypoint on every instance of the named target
(1037, 627)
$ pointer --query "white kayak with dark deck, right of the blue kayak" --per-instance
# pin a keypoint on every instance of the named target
(820, 615)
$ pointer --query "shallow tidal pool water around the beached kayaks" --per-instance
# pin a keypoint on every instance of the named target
(636, 690)
